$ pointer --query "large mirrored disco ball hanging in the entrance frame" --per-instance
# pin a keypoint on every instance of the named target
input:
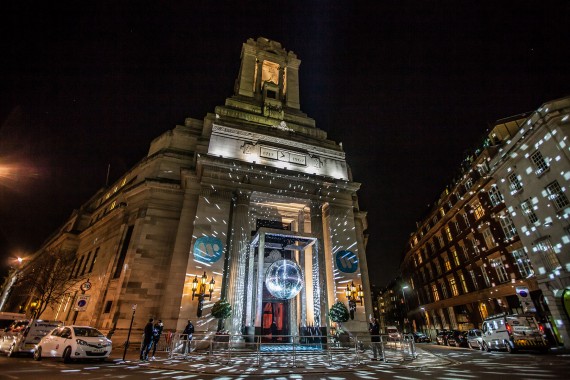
(284, 279)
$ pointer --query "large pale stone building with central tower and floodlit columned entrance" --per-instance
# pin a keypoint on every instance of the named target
(253, 198)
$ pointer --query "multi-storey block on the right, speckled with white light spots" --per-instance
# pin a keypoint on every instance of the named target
(496, 240)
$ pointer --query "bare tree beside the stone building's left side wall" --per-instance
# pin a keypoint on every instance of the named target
(48, 278)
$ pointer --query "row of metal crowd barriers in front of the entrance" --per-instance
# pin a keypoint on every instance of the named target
(290, 350)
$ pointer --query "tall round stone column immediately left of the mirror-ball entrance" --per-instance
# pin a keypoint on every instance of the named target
(238, 260)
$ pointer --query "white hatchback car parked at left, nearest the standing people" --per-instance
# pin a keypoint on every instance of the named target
(74, 342)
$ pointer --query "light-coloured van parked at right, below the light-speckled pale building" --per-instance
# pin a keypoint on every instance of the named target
(512, 333)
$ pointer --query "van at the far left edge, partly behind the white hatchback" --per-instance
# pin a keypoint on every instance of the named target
(22, 336)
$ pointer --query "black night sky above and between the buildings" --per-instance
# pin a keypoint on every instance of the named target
(407, 87)
